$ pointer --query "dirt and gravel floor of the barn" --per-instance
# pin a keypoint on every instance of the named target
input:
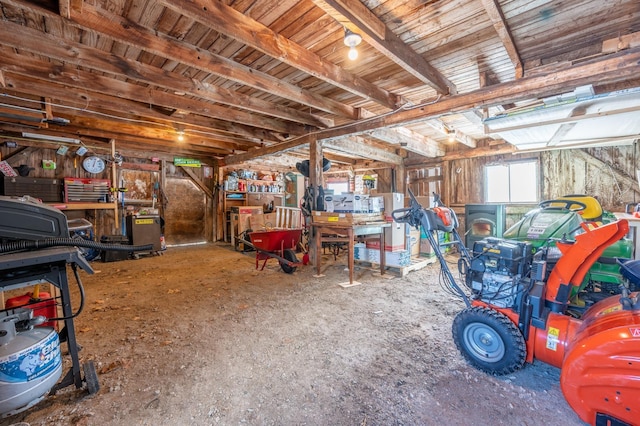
(197, 336)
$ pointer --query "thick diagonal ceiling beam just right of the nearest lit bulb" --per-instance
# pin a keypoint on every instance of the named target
(353, 15)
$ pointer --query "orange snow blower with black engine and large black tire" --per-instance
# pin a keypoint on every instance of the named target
(518, 311)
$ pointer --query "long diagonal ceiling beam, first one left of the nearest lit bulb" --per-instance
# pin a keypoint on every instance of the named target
(226, 20)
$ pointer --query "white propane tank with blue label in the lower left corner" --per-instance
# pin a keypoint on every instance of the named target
(30, 365)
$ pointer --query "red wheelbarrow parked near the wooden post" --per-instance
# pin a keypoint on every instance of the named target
(278, 244)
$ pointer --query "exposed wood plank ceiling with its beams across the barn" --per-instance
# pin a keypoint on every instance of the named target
(247, 80)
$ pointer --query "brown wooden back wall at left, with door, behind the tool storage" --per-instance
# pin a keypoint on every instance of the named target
(182, 210)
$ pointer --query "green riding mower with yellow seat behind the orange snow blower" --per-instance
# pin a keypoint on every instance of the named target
(565, 217)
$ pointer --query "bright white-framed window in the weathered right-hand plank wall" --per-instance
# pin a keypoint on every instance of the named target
(515, 182)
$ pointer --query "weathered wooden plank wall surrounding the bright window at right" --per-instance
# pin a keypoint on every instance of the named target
(609, 174)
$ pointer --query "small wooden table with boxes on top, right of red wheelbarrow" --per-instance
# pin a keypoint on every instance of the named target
(347, 234)
